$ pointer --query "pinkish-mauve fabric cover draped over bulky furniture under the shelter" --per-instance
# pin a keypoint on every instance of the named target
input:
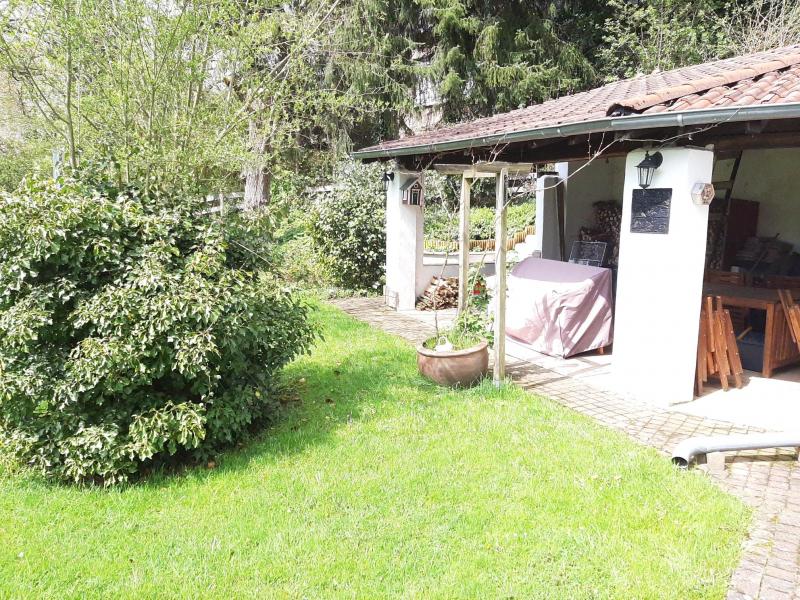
(558, 308)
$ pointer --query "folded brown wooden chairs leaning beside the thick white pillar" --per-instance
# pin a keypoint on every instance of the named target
(717, 351)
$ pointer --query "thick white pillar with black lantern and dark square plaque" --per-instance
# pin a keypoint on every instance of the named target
(660, 284)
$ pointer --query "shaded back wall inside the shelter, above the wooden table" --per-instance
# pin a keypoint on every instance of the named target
(772, 177)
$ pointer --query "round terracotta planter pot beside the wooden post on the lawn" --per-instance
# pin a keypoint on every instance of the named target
(456, 367)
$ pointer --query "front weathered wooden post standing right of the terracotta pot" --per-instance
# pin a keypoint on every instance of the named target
(500, 279)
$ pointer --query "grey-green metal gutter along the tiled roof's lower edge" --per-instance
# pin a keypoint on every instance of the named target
(705, 116)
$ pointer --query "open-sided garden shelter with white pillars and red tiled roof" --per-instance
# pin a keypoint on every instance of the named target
(664, 260)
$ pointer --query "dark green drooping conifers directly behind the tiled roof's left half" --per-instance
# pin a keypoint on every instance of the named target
(468, 57)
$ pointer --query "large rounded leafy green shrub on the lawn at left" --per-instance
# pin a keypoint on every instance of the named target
(126, 336)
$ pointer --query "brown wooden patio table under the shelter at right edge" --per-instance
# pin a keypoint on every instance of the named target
(779, 347)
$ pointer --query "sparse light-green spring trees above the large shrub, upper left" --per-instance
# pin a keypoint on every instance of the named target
(201, 91)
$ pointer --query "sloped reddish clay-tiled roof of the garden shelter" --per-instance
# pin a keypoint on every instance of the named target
(763, 78)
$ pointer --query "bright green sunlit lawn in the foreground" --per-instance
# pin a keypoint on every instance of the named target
(378, 484)
